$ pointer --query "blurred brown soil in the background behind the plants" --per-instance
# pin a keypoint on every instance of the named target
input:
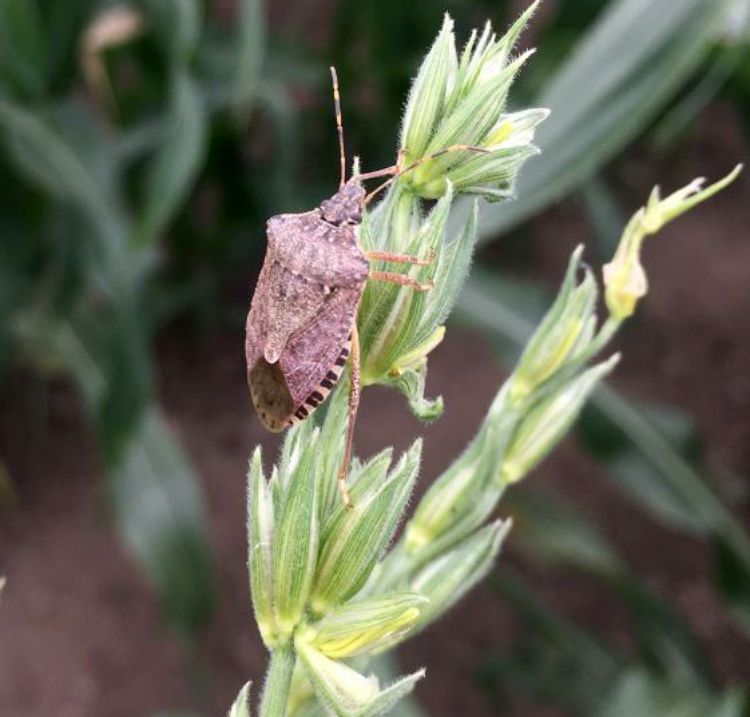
(80, 631)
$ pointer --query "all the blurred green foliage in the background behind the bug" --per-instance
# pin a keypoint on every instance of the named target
(136, 192)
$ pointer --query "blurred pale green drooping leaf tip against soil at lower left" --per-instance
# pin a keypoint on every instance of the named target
(156, 498)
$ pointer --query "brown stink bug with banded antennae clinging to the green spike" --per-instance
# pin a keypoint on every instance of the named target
(301, 328)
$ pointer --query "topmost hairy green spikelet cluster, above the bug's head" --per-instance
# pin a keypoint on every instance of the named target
(472, 114)
